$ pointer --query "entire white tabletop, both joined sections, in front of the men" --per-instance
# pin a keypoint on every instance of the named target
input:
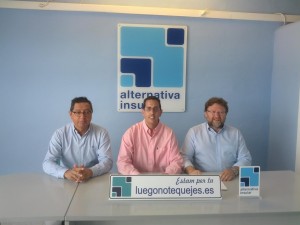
(39, 197)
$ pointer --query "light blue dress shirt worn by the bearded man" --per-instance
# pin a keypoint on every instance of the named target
(209, 151)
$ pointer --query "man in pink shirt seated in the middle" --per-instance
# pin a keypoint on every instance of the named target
(149, 146)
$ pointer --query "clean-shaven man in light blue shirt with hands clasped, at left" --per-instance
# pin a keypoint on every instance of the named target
(79, 150)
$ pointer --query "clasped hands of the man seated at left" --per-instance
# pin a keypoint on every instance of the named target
(78, 174)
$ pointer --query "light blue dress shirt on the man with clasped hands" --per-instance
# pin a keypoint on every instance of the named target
(67, 148)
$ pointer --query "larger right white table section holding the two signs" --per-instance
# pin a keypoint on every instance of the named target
(279, 194)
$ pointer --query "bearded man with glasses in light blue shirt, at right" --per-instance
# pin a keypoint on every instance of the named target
(213, 146)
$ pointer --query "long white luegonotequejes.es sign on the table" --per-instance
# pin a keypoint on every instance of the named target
(149, 187)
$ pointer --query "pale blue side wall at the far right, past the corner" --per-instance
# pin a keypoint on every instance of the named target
(284, 132)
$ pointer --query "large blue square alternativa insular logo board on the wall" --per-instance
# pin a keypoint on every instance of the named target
(151, 61)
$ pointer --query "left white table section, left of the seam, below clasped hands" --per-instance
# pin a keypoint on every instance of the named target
(34, 197)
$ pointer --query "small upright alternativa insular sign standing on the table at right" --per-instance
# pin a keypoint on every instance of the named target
(249, 181)
